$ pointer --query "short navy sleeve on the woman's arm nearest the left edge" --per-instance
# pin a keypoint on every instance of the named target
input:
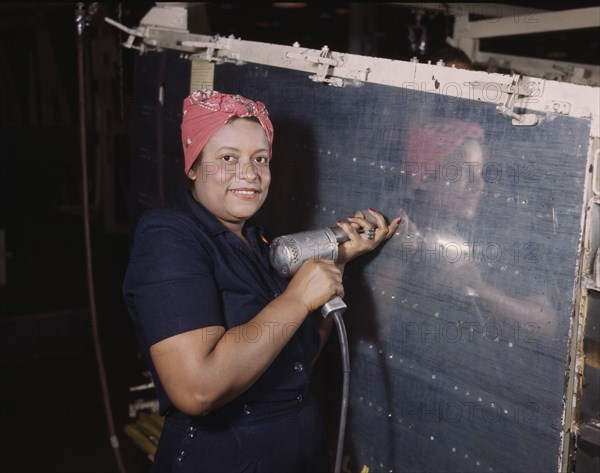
(170, 286)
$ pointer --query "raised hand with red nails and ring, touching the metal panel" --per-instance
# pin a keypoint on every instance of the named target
(364, 236)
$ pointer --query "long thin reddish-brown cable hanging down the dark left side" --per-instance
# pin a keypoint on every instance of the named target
(80, 22)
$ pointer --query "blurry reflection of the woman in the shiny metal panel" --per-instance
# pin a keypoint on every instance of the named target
(446, 159)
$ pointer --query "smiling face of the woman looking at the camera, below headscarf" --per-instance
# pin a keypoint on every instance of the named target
(233, 176)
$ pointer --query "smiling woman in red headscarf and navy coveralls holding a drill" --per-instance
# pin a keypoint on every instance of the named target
(230, 345)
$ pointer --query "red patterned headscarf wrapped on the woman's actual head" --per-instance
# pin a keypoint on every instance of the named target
(206, 111)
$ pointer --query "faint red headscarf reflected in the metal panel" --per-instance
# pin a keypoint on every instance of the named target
(430, 143)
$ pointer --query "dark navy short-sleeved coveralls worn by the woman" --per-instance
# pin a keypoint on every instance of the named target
(188, 271)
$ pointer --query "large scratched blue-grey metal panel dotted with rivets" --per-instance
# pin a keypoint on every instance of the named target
(459, 326)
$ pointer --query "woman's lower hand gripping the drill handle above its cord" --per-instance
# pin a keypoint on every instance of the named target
(316, 282)
